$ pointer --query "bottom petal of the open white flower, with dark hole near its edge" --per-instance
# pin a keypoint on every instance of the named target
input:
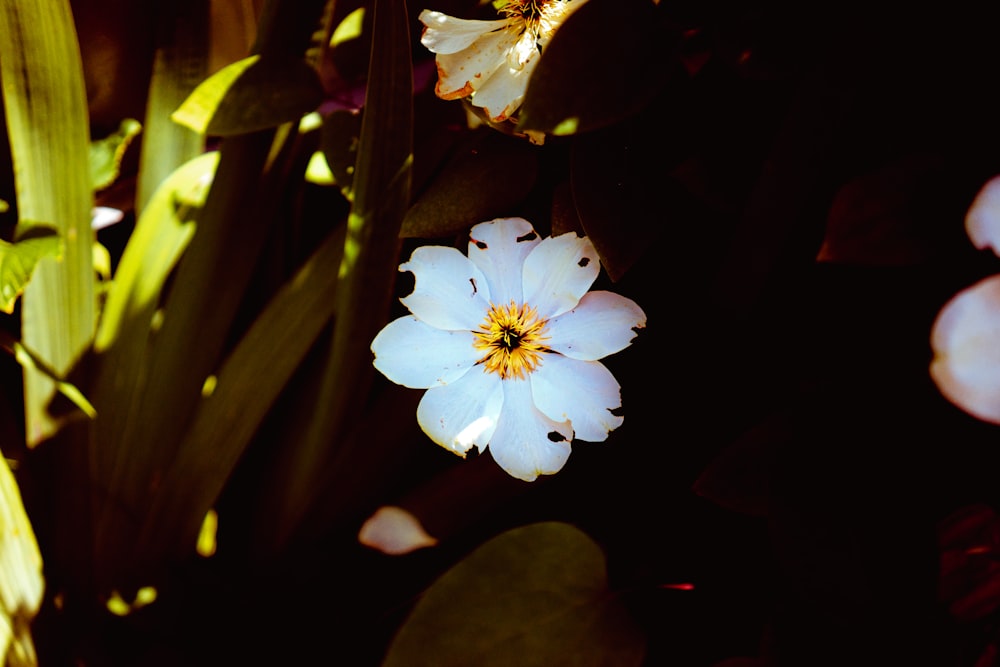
(527, 443)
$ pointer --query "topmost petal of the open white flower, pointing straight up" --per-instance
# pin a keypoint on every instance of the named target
(498, 248)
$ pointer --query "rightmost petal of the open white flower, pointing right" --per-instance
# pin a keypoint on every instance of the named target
(601, 324)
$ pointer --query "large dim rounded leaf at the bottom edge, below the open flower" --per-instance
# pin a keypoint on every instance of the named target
(533, 596)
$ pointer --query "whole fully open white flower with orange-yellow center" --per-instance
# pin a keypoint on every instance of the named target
(506, 342)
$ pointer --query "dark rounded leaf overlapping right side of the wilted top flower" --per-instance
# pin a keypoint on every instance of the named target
(604, 64)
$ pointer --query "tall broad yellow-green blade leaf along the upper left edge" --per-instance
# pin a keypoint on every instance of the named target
(46, 109)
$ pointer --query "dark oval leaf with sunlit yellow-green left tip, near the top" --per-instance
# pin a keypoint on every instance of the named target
(252, 94)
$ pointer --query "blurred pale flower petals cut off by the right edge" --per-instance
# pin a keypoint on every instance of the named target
(966, 334)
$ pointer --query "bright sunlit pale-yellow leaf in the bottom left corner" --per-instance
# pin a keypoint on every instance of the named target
(21, 583)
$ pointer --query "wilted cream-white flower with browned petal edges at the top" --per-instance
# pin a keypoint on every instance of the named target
(491, 61)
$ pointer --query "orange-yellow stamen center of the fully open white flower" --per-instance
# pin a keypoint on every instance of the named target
(512, 337)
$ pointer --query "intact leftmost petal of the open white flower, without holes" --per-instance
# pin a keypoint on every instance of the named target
(417, 355)
